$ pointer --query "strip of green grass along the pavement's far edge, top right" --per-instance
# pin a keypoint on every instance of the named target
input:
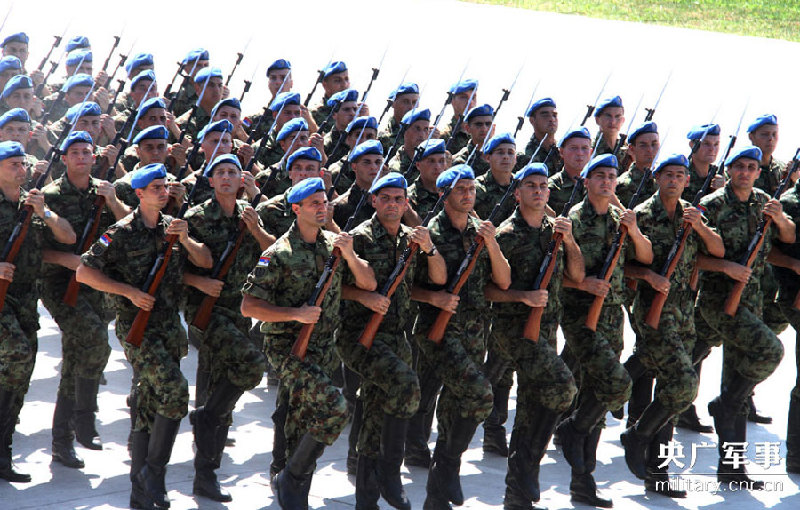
(777, 19)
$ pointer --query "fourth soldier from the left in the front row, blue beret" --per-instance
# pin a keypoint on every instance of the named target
(546, 385)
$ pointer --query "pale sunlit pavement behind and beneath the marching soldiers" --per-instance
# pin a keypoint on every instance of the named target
(433, 38)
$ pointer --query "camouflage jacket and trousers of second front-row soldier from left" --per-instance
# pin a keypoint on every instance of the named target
(388, 383)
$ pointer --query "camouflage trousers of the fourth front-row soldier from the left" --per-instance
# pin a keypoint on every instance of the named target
(542, 376)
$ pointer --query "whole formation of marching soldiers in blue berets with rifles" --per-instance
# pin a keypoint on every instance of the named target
(392, 273)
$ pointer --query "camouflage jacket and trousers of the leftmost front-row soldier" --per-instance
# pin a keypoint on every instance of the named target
(285, 276)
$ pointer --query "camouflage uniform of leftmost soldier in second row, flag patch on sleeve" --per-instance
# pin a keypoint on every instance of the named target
(126, 253)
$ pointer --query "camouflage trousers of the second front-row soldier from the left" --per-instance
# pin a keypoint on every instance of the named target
(389, 386)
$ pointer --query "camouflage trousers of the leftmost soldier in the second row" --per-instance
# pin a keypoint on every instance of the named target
(161, 387)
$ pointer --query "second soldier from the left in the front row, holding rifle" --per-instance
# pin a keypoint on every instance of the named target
(389, 386)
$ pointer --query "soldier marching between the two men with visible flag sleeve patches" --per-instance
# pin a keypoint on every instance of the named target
(234, 363)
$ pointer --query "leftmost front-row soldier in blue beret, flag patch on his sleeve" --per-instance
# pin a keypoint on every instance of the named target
(275, 293)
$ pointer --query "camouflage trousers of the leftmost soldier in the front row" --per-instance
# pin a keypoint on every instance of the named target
(315, 405)
